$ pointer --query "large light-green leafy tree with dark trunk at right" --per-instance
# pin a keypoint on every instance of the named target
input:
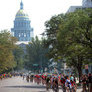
(73, 32)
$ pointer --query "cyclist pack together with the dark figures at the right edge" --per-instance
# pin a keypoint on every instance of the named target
(66, 83)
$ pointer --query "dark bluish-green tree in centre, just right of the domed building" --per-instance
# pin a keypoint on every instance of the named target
(36, 55)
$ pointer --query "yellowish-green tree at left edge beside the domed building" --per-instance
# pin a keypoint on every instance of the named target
(6, 47)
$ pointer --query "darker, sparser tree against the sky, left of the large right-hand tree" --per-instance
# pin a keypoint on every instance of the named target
(52, 27)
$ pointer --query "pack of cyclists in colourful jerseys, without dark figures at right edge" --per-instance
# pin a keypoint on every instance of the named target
(54, 82)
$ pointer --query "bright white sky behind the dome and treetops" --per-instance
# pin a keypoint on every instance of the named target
(39, 12)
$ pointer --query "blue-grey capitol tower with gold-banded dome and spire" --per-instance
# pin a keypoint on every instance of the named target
(22, 29)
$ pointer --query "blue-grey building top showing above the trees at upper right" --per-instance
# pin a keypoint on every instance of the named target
(85, 4)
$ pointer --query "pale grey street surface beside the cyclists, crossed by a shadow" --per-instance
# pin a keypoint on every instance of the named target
(17, 84)
